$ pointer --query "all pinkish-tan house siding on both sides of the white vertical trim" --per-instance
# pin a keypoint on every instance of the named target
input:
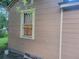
(47, 31)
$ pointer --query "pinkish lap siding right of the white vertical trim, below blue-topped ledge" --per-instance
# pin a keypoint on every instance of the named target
(71, 35)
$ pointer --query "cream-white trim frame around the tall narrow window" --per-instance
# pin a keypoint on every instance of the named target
(33, 25)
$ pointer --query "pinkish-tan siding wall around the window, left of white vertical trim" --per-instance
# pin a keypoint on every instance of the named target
(46, 43)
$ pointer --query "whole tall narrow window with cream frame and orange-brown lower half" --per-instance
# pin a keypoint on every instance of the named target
(27, 24)
